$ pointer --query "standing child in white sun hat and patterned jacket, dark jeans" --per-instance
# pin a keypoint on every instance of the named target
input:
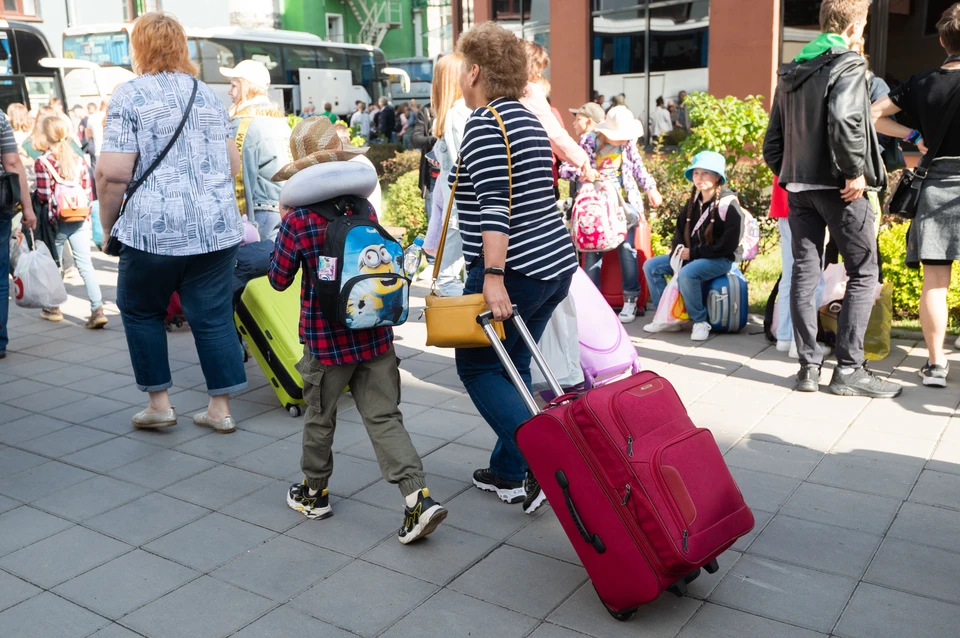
(612, 150)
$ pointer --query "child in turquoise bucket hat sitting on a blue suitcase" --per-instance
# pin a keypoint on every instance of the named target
(709, 229)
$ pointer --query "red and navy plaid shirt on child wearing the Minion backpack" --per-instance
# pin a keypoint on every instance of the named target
(300, 241)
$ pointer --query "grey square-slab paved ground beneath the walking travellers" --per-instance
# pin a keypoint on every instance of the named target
(108, 531)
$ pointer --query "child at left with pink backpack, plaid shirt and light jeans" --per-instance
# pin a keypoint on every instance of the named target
(64, 184)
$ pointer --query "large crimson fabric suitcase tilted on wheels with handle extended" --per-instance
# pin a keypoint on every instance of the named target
(643, 494)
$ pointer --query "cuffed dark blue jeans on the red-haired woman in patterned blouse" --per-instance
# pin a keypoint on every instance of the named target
(205, 282)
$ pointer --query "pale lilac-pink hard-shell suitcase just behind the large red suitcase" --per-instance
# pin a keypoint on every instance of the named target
(606, 352)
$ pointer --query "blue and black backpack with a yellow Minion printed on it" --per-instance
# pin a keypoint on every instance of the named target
(359, 280)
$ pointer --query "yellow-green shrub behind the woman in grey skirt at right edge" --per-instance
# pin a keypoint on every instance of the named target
(908, 282)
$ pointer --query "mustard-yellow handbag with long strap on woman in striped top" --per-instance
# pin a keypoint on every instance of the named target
(452, 321)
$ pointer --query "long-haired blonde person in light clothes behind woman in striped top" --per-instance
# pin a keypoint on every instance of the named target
(451, 118)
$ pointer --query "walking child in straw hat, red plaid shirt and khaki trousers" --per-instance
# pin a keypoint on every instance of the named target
(336, 356)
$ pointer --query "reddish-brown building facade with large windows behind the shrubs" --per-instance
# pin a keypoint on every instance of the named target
(727, 47)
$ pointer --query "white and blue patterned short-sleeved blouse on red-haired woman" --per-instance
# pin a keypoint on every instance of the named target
(187, 206)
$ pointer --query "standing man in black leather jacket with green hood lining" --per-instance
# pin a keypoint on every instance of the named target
(822, 145)
